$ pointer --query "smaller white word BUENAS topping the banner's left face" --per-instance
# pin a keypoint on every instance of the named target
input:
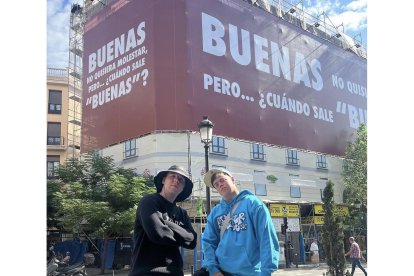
(117, 47)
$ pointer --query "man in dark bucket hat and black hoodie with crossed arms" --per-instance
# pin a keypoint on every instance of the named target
(162, 227)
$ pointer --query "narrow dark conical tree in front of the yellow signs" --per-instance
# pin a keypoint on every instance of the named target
(333, 234)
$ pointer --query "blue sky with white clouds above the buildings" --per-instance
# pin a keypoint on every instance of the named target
(352, 15)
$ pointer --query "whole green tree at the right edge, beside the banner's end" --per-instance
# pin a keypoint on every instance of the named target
(354, 176)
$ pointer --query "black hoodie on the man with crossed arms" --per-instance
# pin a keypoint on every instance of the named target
(161, 228)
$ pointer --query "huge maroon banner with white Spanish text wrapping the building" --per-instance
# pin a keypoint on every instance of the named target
(162, 65)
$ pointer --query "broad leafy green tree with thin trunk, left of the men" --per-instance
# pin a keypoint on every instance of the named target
(96, 195)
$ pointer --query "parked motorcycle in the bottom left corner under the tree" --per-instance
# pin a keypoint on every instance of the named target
(58, 268)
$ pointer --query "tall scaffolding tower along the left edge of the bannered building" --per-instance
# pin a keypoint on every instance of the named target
(77, 23)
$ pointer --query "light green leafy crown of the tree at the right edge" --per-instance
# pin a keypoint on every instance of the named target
(354, 172)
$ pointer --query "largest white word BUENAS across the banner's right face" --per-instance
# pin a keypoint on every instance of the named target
(270, 59)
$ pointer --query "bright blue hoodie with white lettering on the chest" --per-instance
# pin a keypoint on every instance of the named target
(249, 246)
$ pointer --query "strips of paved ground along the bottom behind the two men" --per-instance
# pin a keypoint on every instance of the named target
(306, 269)
